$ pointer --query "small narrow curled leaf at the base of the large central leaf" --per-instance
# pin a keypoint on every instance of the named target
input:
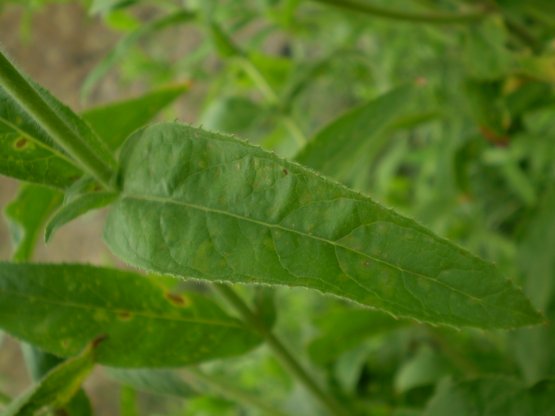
(77, 207)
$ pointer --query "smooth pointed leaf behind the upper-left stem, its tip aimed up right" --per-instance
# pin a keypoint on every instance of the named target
(115, 121)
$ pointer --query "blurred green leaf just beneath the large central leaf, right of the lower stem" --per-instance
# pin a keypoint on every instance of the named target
(342, 329)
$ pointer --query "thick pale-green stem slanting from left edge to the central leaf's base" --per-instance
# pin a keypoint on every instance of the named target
(31, 101)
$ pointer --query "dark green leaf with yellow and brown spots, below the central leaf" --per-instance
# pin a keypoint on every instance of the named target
(59, 308)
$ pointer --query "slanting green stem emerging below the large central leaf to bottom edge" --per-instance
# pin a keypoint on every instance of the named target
(280, 350)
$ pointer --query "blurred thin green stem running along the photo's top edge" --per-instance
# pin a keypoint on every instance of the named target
(432, 18)
